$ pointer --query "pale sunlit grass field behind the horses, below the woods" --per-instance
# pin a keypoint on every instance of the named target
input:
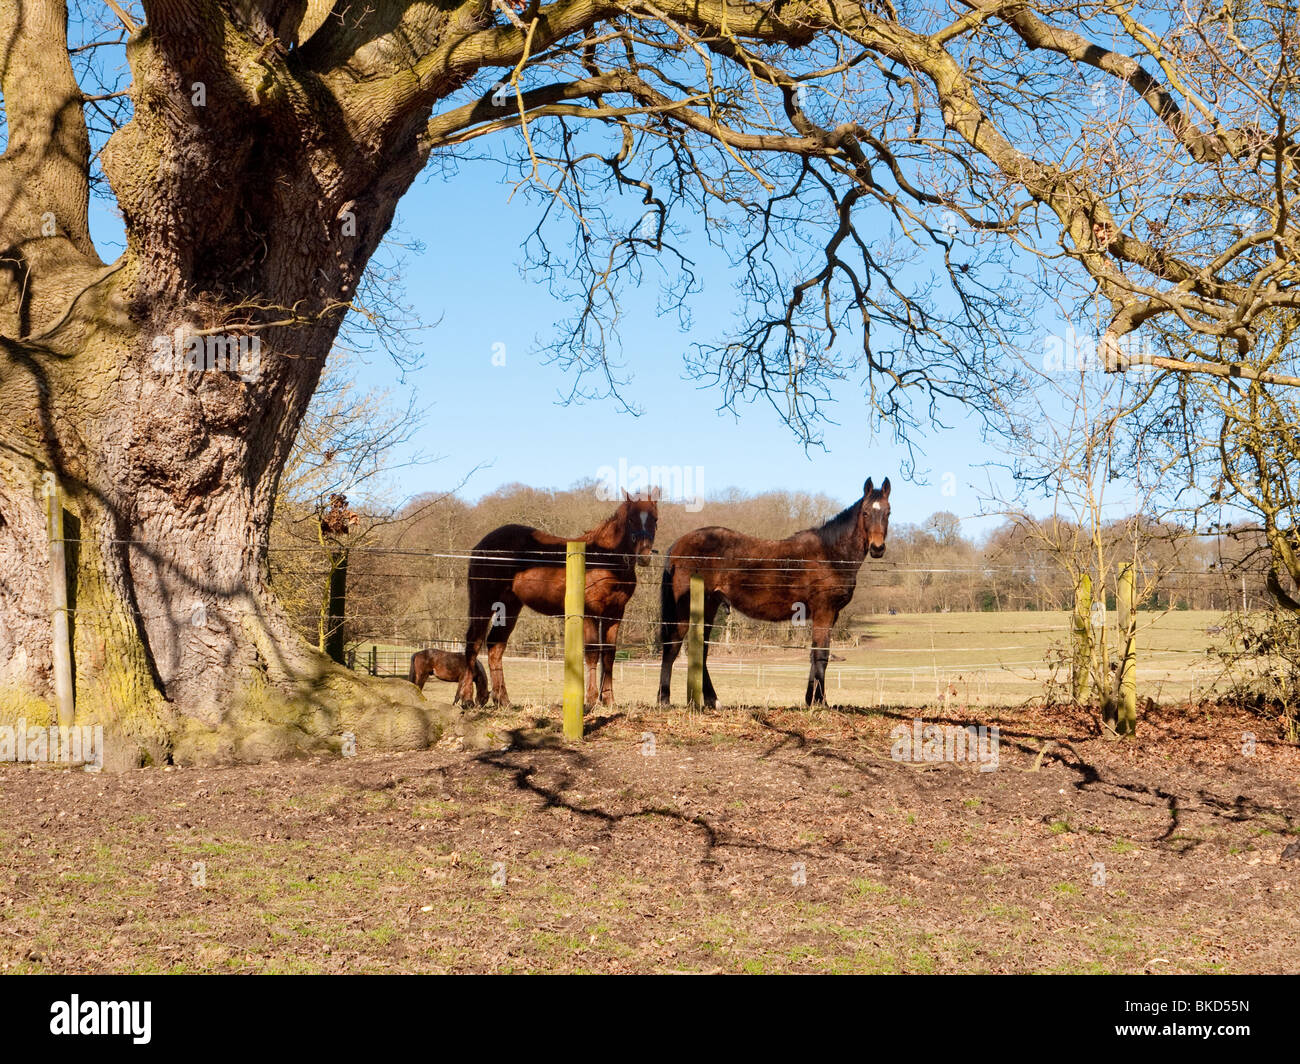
(973, 659)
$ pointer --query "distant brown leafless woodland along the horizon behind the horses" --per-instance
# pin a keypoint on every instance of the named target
(401, 590)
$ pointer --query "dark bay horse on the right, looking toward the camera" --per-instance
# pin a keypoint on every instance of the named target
(807, 578)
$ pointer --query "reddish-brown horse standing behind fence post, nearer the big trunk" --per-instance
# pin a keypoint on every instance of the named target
(518, 566)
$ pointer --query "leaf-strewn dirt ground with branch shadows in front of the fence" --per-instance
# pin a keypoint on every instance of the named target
(736, 841)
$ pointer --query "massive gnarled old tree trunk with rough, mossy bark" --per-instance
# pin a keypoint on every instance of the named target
(244, 220)
